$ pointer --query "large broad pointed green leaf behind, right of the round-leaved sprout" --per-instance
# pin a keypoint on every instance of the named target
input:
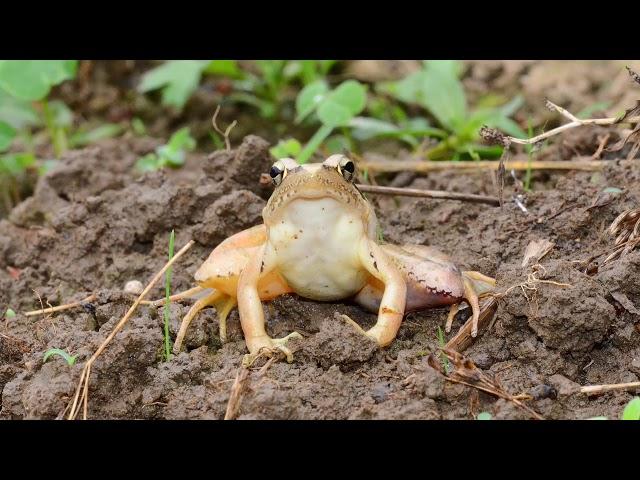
(437, 89)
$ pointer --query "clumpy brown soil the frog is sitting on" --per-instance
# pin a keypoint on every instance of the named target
(92, 225)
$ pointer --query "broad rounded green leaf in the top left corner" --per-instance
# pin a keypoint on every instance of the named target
(32, 79)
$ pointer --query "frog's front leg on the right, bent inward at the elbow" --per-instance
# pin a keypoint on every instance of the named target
(393, 300)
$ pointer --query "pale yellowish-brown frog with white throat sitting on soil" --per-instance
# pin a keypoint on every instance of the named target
(319, 239)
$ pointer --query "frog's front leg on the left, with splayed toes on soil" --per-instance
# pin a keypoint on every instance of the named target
(250, 307)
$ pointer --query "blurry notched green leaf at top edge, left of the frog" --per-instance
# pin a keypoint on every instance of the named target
(178, 79)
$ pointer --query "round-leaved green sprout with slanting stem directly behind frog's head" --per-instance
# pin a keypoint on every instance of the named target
(334, 109)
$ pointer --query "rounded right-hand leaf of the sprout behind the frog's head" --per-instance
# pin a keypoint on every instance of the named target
(342, 104)
